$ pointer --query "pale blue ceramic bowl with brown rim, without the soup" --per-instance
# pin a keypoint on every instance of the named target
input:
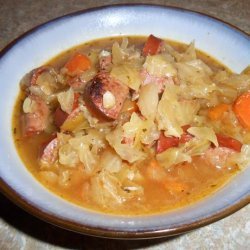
(226, 43)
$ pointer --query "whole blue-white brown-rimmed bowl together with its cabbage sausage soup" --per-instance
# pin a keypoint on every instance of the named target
(128, 121)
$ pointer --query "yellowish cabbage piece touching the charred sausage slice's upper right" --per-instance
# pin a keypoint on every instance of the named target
(128, 75)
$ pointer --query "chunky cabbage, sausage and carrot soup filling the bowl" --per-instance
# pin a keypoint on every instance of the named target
(132, 125)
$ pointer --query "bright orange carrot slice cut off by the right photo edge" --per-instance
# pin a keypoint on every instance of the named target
(241, 109)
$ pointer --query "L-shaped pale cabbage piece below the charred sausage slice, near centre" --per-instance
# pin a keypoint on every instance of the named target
(125, 151)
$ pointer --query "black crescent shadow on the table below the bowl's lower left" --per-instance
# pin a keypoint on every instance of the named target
(44, 232)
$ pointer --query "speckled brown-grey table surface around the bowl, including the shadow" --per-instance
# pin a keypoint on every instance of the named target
(19, 230)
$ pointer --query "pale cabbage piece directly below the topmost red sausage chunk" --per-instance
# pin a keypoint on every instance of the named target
(157, 65)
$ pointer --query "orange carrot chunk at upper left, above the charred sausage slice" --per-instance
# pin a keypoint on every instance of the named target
(77, 64)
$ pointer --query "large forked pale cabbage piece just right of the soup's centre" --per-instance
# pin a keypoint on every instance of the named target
(172, 114)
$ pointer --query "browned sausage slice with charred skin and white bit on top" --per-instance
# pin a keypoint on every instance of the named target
(93, 95)
